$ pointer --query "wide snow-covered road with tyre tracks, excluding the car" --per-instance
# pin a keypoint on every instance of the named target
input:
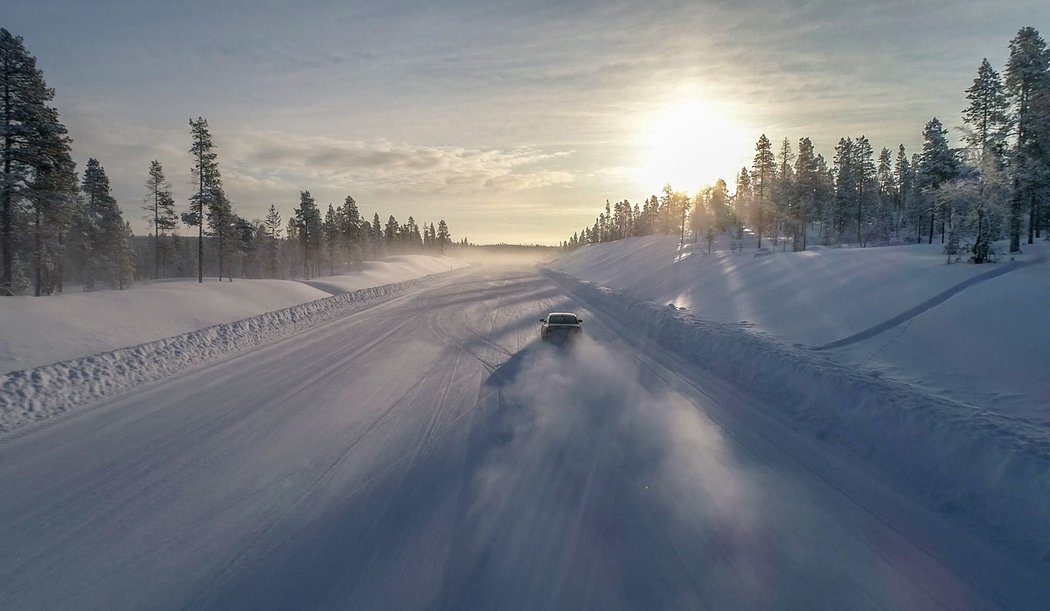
(427, 453)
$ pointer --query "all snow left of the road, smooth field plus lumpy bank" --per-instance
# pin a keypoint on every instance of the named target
(82, 348)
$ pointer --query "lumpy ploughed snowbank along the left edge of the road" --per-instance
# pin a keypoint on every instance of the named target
(45, 392)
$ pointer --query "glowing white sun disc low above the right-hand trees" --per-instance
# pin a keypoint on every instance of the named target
(690, 144)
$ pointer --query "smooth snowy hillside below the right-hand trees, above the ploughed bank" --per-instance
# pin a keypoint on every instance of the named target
(975, 334)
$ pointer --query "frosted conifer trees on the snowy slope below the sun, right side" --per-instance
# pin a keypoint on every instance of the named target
(995, 186)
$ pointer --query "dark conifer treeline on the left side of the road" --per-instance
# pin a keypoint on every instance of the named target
(58, 228)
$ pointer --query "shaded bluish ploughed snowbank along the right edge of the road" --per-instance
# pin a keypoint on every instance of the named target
(984, 467)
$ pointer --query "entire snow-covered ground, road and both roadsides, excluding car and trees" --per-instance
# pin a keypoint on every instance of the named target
(733, 431)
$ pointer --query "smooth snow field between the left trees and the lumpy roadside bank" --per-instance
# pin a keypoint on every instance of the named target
(40, 331)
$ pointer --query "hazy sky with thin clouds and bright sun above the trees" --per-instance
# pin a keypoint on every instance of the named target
(513, 121)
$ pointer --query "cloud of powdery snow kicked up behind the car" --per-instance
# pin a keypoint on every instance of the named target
(613, 479)
